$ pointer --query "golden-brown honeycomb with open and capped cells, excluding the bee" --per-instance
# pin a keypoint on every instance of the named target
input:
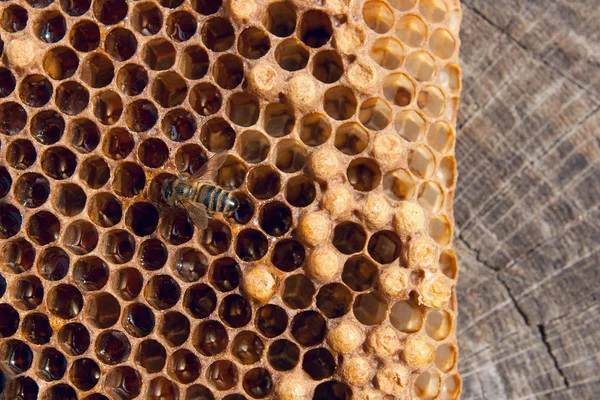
(335, 277)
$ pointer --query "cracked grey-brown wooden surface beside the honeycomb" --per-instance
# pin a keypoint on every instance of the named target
(527, 208)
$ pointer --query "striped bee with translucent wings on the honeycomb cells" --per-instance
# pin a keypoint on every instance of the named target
(198, 195)
